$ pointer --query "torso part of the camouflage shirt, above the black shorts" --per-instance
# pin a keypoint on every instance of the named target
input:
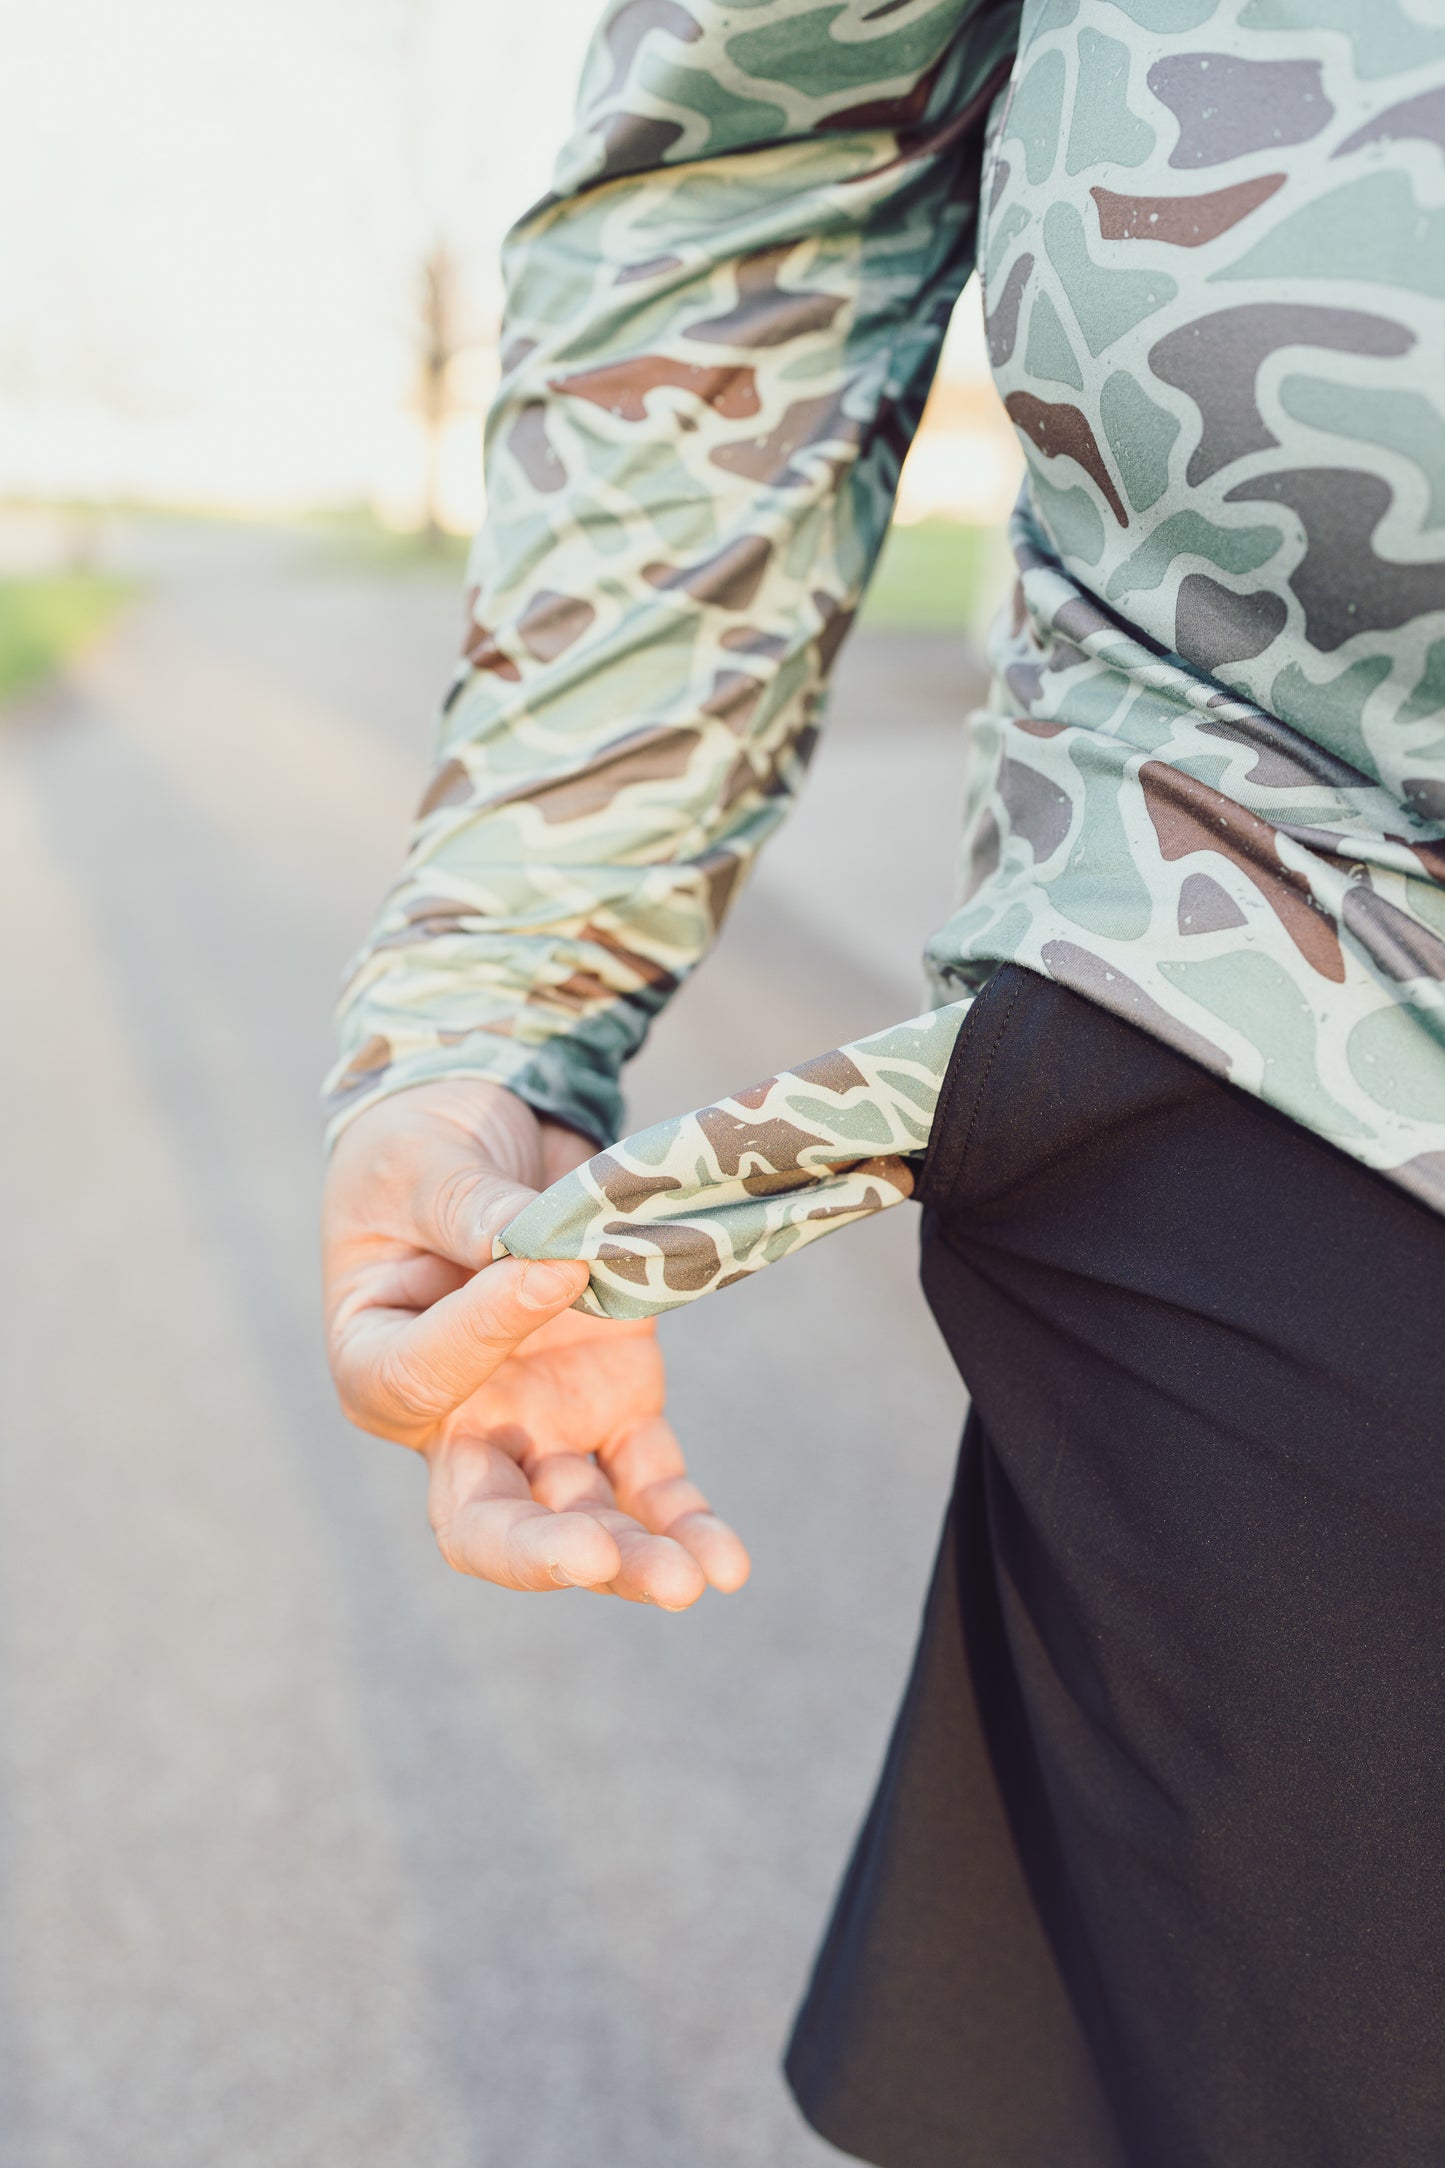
(1212, 788)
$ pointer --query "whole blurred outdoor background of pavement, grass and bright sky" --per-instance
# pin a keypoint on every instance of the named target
(309, 1850)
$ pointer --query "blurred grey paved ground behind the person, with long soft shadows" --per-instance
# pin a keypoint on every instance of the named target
(309, 1853)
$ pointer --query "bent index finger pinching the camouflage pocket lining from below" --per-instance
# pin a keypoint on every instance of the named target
(400, 1373)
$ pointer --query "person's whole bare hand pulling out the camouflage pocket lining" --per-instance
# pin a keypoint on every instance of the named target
(545, 1434)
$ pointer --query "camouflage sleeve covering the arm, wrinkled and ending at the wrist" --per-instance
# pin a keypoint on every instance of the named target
(720, 333)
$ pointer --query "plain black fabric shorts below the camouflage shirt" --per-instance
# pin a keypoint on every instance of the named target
(1156, 1872)
